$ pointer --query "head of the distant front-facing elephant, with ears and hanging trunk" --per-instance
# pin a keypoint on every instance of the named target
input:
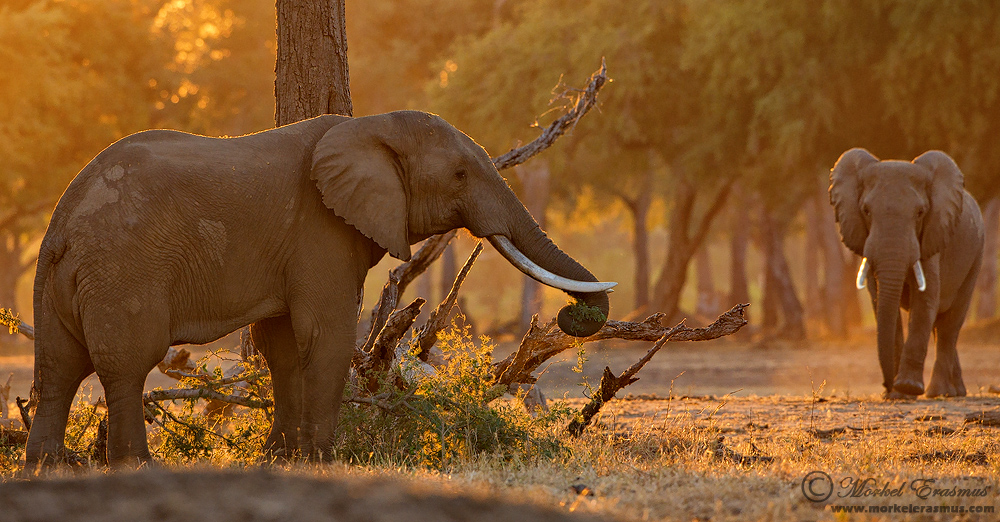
(895, 214)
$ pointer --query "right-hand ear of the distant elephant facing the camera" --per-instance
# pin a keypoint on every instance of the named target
(945, 192)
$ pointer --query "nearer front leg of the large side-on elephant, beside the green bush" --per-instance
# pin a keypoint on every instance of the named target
(325, 351)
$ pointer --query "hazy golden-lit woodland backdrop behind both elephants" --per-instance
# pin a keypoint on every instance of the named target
(700, 183)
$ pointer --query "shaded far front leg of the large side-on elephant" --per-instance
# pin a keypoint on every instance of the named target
(275, 340)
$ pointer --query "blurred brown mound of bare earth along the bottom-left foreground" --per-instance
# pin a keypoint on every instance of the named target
(257, 495)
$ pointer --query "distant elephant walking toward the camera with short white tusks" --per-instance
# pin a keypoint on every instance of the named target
(921, 238)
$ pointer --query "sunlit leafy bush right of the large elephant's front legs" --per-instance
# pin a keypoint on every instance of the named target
(454, 414)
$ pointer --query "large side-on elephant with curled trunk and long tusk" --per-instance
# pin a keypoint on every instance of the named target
(168, 238)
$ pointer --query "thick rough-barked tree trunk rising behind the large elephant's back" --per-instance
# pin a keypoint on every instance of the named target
(311, 70)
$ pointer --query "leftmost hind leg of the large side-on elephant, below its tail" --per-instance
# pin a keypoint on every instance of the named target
(61, 364)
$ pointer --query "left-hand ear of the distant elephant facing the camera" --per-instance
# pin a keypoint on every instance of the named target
(845, 195)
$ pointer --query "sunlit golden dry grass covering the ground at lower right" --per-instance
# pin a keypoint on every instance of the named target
(680, 459)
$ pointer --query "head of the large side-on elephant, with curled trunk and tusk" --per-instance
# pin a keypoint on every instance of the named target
(403, 176)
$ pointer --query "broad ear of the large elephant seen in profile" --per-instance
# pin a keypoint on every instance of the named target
(360, 175)
